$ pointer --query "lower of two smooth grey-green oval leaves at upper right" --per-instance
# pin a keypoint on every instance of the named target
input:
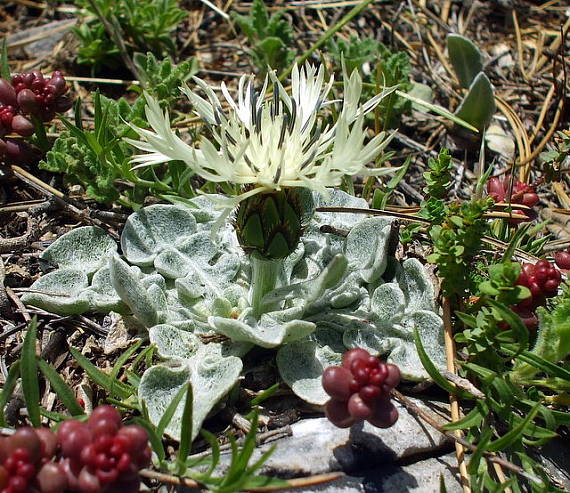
(478, 107)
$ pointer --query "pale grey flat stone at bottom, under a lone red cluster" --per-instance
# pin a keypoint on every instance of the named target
(369, 456)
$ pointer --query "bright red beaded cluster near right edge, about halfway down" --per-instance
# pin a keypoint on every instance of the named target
(542, 279)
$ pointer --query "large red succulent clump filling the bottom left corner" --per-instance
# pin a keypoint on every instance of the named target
(99, 456)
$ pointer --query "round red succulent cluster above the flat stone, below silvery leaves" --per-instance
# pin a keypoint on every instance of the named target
(360, 390)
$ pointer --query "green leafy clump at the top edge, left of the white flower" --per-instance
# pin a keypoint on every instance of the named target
(143, 25)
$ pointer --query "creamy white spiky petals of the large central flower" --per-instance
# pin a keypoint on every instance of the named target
(266, 144)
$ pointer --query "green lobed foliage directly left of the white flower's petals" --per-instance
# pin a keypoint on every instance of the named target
(99, 159)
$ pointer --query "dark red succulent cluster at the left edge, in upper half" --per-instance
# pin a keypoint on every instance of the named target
(29, 94)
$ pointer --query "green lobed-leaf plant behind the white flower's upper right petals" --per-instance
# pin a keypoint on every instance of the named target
(379, 66)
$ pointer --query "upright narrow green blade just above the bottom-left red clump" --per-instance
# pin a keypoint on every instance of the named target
(29, 374)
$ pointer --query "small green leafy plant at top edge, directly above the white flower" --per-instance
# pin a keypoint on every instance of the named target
(270, 37)
